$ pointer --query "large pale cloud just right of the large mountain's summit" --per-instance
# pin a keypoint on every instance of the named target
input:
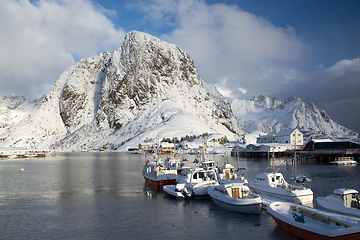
(225, 40)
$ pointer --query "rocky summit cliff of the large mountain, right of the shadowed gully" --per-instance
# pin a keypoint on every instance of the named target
(142, 70)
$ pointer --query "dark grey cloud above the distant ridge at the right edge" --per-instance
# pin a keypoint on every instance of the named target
(335, 90)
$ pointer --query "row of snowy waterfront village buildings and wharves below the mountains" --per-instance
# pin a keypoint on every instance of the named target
(283, 143)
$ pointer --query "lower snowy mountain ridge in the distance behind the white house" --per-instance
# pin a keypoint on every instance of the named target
(262, 114)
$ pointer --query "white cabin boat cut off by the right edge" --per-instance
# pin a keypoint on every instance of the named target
(343, 200)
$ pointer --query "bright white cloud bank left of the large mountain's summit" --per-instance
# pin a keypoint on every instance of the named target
(38, 41)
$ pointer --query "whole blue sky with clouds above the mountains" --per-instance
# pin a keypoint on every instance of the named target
(281, 48)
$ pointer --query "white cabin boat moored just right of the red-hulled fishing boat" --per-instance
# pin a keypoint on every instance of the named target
(192, 183)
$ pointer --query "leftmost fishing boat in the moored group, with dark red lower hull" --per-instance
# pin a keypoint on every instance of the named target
(157, 174)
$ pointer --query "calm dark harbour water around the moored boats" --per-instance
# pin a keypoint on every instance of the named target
(103, 196)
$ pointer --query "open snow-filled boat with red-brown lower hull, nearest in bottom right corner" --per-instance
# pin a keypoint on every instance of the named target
(310, 223)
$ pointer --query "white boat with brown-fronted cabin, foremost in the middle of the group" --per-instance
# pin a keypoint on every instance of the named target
(235, 197)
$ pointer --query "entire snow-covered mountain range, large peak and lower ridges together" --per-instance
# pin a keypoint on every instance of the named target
(145, 90)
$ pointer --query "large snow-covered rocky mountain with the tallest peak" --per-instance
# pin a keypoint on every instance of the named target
(146, 89)
